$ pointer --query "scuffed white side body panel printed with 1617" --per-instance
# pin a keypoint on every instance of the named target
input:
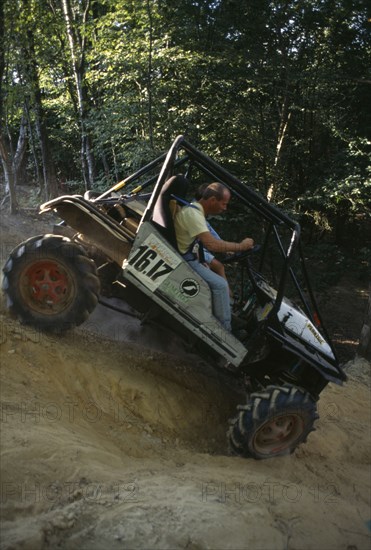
(174, 285)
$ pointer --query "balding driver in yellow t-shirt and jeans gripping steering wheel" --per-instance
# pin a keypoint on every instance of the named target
(191, 226)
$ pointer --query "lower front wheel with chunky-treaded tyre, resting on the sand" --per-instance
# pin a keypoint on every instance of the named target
(273, 422)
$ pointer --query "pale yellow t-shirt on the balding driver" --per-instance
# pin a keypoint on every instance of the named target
(189, 222)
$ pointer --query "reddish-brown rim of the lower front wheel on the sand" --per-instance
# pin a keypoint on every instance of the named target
(278, 433)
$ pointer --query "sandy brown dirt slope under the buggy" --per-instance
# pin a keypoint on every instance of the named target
(112, 444)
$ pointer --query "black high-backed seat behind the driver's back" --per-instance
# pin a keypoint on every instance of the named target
(163, 212)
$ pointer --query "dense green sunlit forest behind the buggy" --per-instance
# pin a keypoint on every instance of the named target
(276, 91)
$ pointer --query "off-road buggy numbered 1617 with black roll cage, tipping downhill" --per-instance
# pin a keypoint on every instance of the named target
(123, 246)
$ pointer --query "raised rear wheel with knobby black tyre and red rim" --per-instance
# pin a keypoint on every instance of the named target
(51, 283)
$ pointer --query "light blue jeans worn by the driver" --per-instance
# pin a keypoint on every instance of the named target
(219, 290)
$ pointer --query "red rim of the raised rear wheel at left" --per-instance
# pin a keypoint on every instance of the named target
(47, 286)
